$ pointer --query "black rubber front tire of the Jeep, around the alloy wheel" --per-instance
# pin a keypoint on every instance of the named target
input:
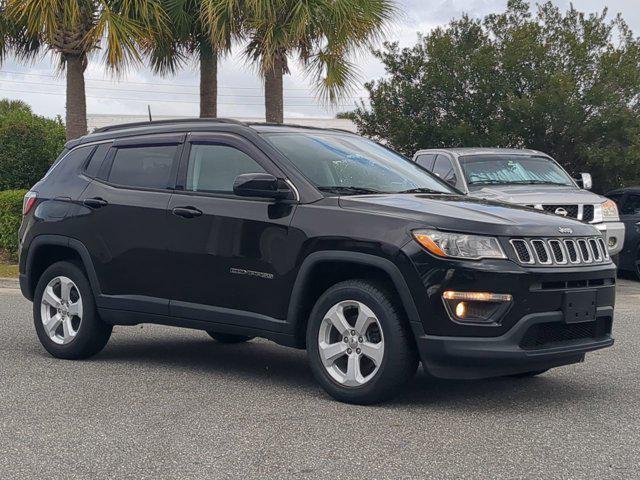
(391, 372)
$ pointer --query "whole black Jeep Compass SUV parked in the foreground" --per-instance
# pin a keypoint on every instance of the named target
(314, 239)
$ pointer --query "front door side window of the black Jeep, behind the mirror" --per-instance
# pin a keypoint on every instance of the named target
(214, 168)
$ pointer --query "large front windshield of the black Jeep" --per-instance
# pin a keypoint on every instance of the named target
(350, 165)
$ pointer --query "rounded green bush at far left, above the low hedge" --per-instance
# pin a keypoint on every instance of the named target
(28, 145)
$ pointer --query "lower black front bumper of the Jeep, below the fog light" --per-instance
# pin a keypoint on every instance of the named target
(515, 352)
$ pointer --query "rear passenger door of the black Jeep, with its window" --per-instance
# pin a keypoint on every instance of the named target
(127, 207)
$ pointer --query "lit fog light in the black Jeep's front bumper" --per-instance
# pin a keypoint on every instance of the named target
(476, 307)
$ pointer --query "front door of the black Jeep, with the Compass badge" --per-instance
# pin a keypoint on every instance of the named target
(231, 253)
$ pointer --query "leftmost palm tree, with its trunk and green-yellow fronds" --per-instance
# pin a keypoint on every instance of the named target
(73, 30)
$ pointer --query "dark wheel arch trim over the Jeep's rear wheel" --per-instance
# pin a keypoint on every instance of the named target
(46, 250)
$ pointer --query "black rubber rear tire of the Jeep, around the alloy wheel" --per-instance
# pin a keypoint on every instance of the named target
(92, 333)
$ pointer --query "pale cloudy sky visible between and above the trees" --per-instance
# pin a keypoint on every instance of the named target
(240, 91)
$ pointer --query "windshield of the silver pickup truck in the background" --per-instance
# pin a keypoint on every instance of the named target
(512, 170)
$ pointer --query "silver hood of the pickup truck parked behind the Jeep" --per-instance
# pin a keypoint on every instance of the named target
(537, 194)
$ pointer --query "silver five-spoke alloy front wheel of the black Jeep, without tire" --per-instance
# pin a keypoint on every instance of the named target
(350, 343)
